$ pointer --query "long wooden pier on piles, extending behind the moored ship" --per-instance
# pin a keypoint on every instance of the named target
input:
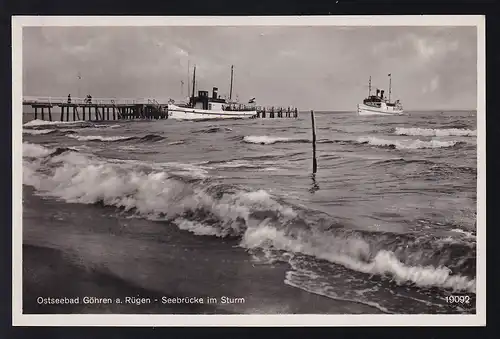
(109, 109)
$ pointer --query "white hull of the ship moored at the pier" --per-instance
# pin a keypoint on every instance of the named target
(187, 113)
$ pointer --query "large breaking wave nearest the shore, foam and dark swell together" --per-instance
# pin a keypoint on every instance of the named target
(260, 220)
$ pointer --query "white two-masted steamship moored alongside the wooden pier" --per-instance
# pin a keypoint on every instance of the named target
(205, 107)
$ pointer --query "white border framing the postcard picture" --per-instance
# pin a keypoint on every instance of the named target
(19, 319)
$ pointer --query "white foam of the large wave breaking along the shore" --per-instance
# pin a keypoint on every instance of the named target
(153, 193)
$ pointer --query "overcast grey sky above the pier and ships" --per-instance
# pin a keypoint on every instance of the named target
(322, 68)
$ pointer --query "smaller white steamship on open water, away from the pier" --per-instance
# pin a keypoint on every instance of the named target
(378, 104)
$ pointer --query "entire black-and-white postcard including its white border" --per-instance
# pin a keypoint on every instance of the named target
(249, 166)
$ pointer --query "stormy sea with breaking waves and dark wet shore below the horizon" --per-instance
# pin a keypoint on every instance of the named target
(229, 212)
